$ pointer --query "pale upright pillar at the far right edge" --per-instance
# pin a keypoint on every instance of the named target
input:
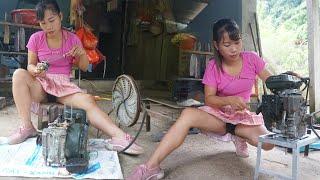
(314, 53)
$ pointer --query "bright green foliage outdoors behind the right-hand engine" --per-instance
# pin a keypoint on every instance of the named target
(283, 30)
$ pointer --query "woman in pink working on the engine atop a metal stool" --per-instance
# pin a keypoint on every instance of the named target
(228, 79)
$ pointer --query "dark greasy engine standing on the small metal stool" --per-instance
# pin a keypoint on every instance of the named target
(285, 110)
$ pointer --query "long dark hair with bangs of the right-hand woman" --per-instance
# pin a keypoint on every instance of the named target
(219, 28)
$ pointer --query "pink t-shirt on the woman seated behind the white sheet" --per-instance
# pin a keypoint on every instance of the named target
(58, 64)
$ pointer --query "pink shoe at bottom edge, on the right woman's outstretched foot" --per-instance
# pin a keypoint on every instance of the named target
(143, 173)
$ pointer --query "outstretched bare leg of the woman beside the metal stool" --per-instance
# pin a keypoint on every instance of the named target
(190, 117)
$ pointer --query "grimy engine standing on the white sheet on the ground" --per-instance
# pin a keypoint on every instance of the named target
(64, 142)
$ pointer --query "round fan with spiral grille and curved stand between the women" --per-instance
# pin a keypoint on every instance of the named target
(126, 104)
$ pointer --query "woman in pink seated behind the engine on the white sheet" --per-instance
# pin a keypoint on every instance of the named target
(62, 50)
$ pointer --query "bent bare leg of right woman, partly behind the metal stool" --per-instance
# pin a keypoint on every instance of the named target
(252, 133)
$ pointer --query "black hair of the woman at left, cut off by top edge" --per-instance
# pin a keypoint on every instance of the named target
(44, 5)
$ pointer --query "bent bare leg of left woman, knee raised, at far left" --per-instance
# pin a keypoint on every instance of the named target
(25, 89)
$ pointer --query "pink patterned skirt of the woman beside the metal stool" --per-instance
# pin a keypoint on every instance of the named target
(228, 115)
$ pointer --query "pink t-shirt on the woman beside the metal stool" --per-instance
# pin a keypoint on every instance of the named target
(241, 85)
